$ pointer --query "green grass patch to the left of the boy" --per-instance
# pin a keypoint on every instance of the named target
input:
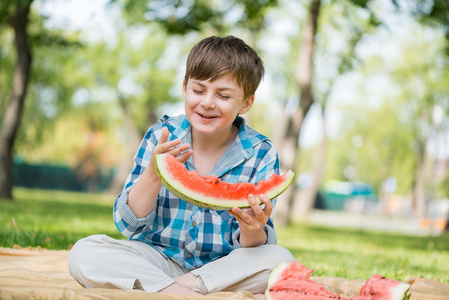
(54, 219)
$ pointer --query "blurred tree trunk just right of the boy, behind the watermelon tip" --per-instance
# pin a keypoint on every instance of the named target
(290, 126)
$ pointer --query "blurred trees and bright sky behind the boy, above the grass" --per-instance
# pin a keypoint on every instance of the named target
(355, 97)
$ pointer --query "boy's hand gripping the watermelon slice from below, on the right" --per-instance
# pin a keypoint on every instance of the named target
(253, 219)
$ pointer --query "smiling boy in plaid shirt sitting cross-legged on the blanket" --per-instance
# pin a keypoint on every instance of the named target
(176, 247)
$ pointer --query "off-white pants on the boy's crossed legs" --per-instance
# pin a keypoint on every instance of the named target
(103, 262)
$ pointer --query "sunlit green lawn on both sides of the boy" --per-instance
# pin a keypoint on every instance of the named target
(56, 220)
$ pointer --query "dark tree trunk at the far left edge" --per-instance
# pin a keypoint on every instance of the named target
(11, 121)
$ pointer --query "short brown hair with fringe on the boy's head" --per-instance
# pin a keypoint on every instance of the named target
(215, 56)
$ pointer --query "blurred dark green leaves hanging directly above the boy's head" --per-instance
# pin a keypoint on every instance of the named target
(182, 17)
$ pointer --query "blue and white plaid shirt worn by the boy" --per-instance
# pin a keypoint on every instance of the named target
(190, 235)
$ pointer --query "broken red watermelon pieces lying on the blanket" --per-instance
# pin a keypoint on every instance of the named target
(290, 281)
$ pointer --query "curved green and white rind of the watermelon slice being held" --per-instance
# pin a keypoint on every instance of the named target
(177, 189)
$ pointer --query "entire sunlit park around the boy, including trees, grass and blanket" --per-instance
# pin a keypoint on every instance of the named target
(355, 98)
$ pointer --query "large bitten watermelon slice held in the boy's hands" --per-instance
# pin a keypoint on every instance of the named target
(211, 192)
